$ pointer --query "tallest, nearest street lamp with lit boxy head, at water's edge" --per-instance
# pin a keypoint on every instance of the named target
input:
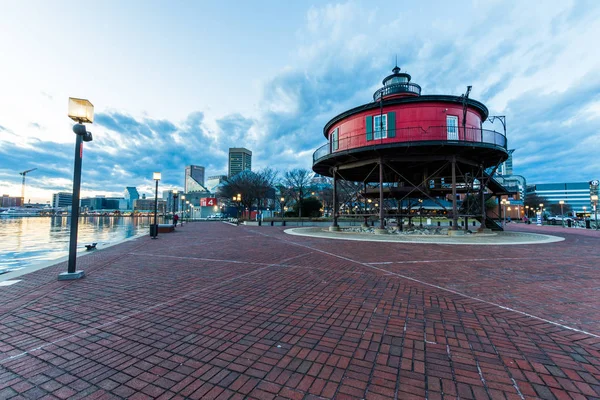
(80, 111)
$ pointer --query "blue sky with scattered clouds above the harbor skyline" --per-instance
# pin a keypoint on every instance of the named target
(178, 83)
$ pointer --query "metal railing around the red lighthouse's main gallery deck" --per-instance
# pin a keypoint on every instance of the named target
(451, 134)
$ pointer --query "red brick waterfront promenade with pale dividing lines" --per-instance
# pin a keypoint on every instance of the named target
(220, 311)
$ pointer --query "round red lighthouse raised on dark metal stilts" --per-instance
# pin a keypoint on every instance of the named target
(404, 147)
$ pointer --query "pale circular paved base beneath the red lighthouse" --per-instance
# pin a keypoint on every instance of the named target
(497, 238)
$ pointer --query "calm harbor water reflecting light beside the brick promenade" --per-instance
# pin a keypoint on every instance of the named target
(26, 241)
